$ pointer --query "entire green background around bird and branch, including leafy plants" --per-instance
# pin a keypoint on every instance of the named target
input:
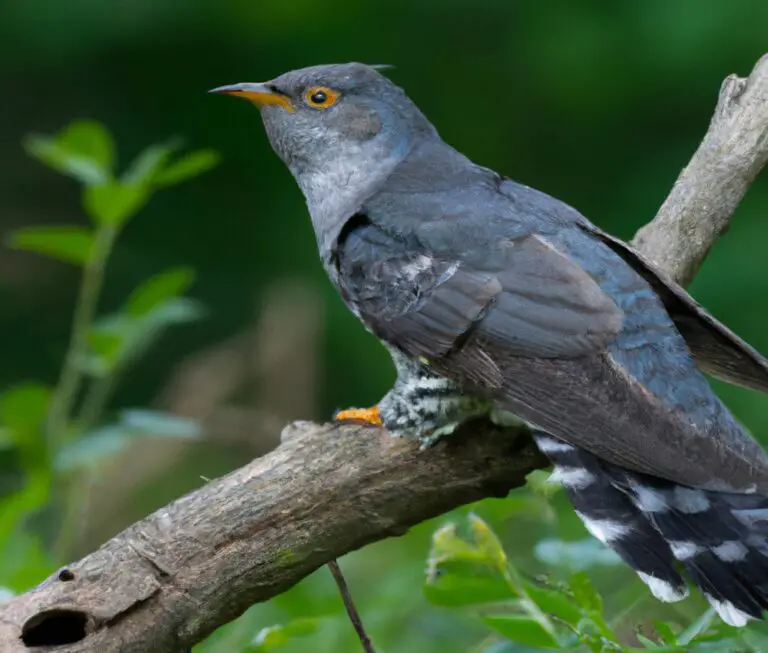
(600, 104)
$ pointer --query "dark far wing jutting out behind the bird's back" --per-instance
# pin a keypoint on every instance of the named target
(715, 348)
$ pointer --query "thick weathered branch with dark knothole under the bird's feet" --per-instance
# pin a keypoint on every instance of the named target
(166, 582)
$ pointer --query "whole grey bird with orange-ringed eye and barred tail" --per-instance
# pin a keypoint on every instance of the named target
(497, 300)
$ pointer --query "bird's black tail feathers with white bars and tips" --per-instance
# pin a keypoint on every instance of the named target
(720, 539)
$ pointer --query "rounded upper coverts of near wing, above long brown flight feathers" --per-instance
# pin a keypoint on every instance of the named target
(539, 304)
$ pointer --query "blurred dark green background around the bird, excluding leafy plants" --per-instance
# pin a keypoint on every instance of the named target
(600, 104)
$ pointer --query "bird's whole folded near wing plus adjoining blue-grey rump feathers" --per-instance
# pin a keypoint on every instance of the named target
(526, 326)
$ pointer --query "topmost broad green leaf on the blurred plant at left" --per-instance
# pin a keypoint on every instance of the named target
(84, 150)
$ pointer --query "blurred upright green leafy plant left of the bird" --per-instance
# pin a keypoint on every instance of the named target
(49, 435)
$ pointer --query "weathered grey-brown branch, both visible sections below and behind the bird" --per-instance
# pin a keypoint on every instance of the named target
(169, 580)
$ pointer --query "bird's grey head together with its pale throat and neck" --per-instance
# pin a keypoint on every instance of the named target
(342, 130)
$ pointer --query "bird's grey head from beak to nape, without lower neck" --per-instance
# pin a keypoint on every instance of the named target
(327, 121)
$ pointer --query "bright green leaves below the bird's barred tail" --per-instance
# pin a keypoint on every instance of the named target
(540, 615)
